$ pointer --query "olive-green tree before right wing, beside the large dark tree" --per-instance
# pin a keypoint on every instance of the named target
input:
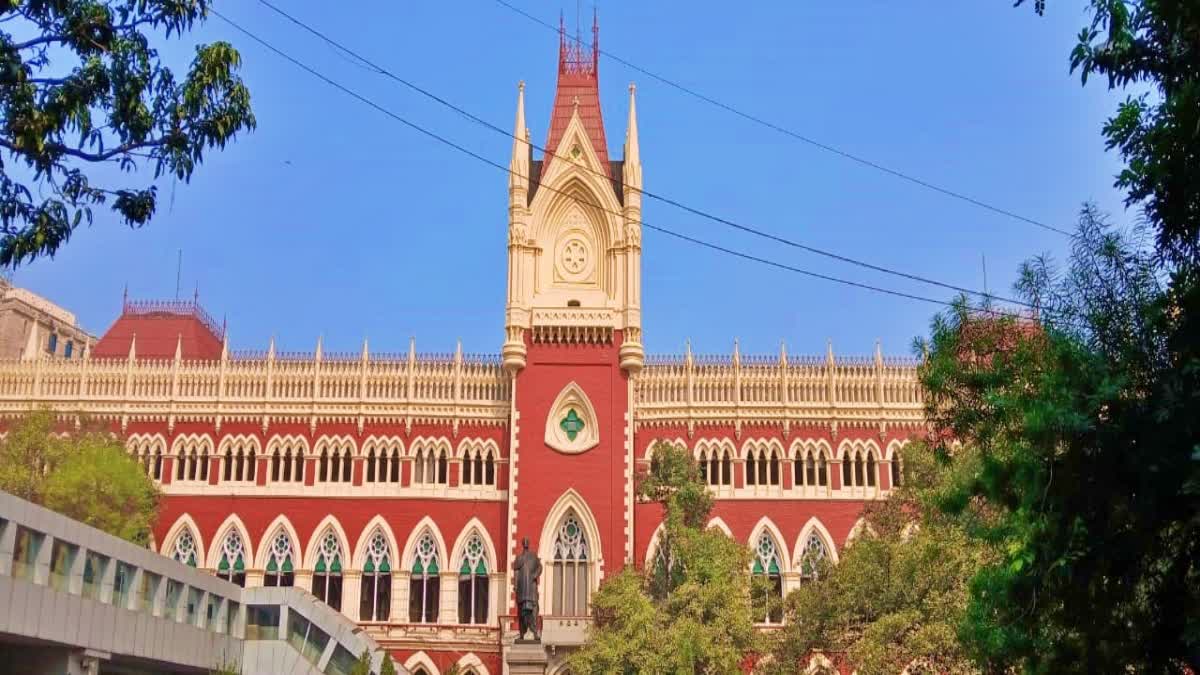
(899, 594)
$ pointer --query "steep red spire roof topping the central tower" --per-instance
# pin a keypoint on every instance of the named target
(579, 82)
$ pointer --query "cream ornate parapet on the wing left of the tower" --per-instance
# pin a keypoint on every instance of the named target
(268, 387)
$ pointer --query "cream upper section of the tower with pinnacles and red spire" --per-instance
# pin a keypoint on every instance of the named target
(575, 237)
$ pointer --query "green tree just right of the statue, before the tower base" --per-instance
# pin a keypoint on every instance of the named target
(693, 612)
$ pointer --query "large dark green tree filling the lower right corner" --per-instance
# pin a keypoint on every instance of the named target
(1088, 465)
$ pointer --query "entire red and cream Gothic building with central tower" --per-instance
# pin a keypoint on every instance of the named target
(398, 487)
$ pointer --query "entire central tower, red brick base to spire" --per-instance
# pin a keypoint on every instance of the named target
(573, 342)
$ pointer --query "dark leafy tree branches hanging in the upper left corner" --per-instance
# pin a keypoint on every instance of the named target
(82, 87)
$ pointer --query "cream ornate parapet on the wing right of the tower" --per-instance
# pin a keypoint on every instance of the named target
(723, 390)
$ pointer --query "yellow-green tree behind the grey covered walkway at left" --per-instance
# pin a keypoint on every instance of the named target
(86, 476)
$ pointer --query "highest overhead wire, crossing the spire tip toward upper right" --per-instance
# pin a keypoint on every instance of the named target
(799, 136)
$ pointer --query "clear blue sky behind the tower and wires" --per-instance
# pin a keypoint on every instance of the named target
(334, 220)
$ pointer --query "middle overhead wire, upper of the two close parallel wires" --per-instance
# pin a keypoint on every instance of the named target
(548, 153)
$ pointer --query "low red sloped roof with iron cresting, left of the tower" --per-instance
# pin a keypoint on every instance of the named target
(160, 327)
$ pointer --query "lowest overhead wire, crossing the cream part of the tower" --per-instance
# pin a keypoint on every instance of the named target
(479, 158)
